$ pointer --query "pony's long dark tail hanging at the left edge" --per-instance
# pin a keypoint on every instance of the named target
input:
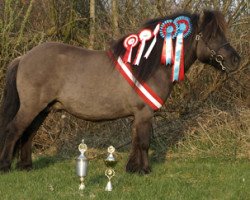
(10, 100)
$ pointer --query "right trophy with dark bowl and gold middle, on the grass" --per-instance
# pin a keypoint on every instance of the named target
(110, 162)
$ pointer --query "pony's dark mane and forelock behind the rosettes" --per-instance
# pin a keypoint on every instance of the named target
(213, 23)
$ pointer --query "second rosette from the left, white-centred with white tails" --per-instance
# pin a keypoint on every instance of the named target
(144, 35)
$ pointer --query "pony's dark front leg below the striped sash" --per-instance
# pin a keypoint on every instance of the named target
(141, 133)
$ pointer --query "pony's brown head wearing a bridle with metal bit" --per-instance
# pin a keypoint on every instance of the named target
(212, 45)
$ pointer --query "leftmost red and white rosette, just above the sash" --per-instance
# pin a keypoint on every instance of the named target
(129, 43)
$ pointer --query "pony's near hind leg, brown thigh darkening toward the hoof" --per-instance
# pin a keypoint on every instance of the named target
(14, 131)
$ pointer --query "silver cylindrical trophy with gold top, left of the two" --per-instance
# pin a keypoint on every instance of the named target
(82, 164)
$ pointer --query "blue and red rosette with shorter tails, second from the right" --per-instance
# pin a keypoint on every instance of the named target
(168, 31)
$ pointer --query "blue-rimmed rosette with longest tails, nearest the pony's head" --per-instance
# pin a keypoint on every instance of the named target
(184, 29)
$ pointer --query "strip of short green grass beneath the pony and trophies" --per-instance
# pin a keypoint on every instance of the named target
(207, 178)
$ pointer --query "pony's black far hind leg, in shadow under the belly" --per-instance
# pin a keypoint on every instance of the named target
(25, 162)
